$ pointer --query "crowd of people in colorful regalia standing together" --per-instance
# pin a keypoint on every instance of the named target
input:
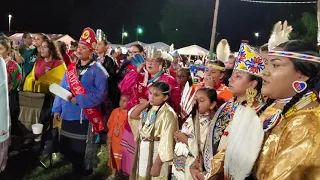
(250, 116)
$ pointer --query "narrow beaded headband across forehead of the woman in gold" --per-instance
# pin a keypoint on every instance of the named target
(294, 55)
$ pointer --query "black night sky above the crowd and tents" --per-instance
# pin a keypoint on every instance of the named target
(193, 18)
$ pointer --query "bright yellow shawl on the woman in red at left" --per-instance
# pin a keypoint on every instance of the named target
(41, 85)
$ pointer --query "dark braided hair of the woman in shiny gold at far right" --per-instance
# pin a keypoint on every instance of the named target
(307, 68)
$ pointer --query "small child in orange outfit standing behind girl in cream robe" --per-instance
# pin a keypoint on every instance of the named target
(115, 132)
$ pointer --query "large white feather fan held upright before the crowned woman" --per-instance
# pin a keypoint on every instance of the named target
(244, 143)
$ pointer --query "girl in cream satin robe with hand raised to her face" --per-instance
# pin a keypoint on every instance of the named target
(155, 140)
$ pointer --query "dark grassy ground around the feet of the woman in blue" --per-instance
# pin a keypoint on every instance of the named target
(61, 170)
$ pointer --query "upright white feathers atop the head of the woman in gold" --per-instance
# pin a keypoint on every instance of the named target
(280, 34)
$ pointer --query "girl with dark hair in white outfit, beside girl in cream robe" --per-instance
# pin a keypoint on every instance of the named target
(187, 147)
